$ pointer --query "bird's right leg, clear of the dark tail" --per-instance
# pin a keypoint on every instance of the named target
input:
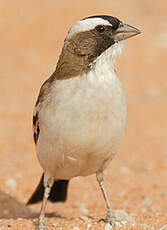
(110, 217)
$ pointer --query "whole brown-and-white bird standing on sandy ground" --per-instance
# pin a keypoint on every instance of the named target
(79, 118)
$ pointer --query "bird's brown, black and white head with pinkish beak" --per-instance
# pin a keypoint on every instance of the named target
(89, 38)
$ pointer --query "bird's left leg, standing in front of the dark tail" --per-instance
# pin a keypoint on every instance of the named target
(48, 182)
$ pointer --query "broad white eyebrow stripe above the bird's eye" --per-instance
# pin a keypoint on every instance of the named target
(85, 25)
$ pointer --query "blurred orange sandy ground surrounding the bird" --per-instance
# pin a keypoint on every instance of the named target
(31, 38)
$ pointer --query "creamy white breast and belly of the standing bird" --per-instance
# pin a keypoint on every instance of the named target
(81, 127)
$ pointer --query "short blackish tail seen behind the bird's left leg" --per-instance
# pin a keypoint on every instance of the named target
(58, 192)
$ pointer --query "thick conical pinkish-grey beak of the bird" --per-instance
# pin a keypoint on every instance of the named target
(125, 31)
